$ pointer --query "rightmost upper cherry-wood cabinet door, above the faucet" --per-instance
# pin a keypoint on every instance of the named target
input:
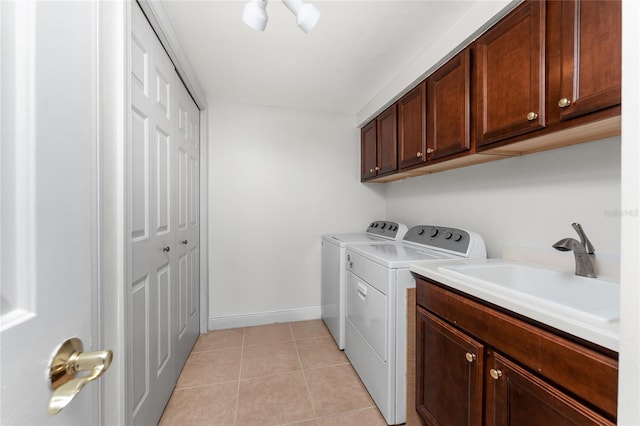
(591, 56)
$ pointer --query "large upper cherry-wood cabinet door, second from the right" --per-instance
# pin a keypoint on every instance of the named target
(510, 75)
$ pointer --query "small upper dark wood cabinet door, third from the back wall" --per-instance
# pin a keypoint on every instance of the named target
(412, 136)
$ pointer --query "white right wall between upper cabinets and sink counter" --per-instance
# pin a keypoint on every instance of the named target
(528, 201)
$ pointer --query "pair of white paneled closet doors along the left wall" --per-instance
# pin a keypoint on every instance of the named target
(163, 294)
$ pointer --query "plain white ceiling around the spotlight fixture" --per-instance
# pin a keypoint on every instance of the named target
(355, 50)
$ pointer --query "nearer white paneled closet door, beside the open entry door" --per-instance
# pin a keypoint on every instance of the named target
(152, 324)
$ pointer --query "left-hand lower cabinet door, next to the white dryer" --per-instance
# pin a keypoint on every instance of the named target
(448, 373)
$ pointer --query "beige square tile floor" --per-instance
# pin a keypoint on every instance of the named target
(279, 374)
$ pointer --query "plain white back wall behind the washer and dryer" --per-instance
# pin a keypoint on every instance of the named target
(279, 179)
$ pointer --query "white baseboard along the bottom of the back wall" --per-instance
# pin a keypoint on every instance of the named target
(263, 318)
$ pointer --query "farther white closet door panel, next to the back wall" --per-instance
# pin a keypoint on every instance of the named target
(187, 222)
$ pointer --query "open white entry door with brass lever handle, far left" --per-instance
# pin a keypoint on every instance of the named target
(48, 235)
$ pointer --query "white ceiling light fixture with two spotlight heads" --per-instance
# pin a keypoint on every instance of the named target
(255, 14)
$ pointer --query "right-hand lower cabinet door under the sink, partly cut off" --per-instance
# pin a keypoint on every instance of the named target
(517, 397)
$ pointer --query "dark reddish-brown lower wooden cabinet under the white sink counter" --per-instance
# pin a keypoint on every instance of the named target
(478, 365)
